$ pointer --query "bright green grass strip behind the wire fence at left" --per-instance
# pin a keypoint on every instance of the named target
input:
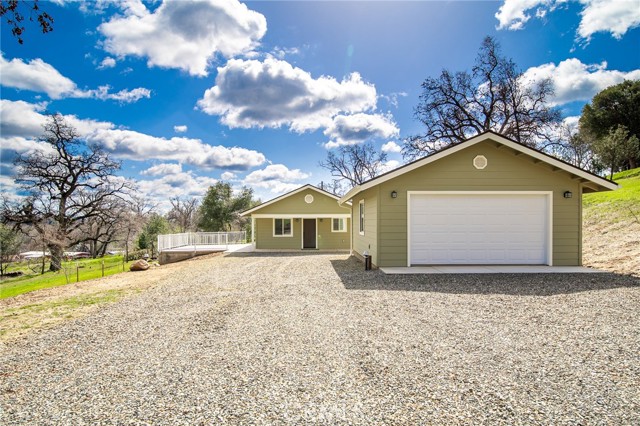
(86, 269)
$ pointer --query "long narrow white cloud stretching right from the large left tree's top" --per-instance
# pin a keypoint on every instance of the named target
(132, 145)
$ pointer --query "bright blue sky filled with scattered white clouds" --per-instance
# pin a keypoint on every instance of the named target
(187, 93)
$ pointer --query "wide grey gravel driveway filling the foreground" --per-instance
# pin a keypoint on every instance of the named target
(279, 339)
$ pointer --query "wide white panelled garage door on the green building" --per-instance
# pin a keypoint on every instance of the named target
(478, 229)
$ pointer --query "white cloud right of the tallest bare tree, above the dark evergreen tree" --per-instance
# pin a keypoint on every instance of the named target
(575, 81)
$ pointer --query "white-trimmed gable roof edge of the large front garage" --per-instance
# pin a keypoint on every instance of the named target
(488, 135)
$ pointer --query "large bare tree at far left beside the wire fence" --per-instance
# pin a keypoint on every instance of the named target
(68, 182)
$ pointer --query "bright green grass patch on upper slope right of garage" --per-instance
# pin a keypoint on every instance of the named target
(623, 203)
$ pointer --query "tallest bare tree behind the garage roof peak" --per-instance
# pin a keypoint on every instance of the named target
(494, 96)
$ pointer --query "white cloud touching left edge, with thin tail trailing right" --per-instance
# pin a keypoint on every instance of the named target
(39, 76)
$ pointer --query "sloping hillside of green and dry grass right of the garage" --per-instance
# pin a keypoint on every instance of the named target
(611, 224)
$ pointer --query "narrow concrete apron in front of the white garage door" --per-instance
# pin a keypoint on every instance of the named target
(491, 269)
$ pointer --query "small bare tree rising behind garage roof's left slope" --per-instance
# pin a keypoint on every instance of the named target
(354, 164)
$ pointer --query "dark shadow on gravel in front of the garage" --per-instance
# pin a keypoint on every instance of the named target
(354, 277)
